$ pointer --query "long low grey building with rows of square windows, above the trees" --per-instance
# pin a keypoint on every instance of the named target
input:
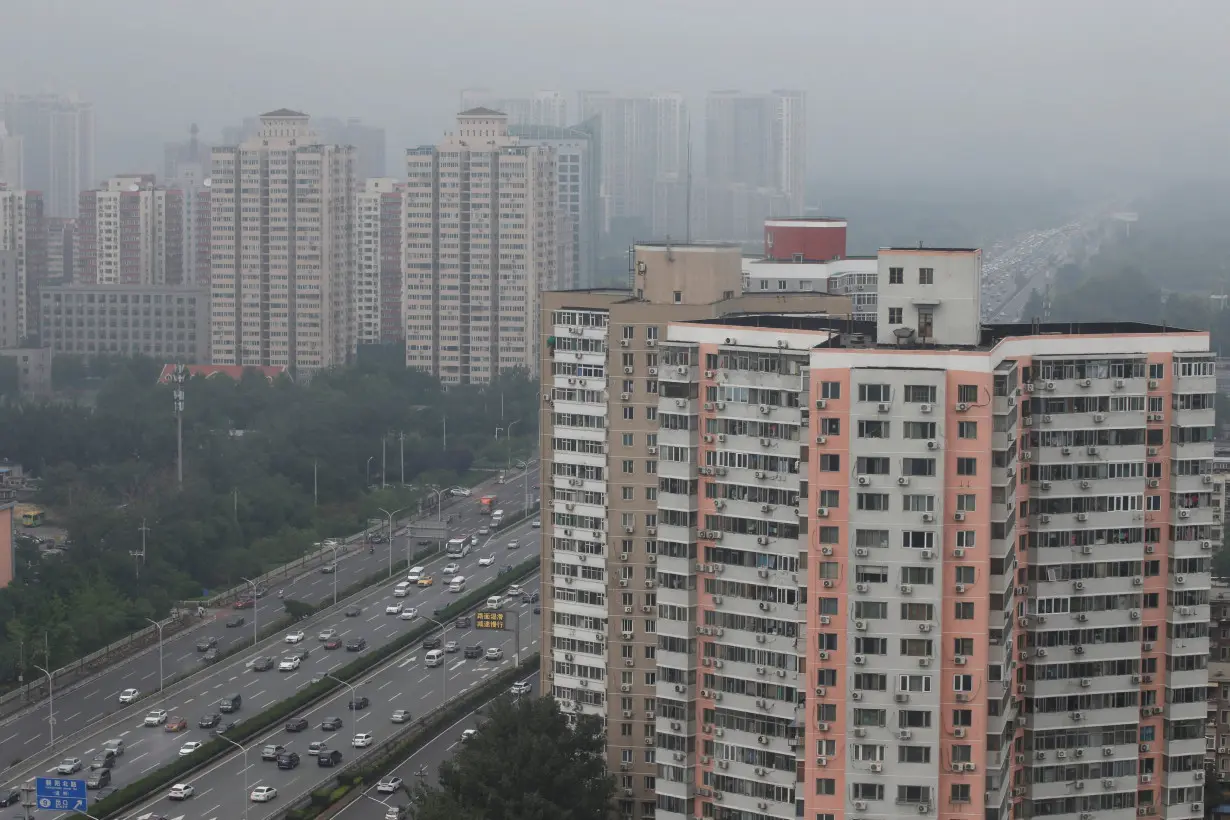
(168, 323)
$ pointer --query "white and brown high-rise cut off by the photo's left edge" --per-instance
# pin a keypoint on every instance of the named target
(24, 232)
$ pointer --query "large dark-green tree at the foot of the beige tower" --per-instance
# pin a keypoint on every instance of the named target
(526, 764)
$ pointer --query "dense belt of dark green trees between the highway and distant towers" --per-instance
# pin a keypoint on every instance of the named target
(270, 470)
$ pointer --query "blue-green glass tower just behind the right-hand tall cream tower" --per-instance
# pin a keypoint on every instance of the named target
(579, 183)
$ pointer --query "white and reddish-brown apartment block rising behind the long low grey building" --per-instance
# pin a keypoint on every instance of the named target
(131, 233)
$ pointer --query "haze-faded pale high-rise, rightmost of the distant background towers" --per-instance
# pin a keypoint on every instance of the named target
(755, 159)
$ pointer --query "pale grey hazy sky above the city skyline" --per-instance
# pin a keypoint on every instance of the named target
(1040, 89)
